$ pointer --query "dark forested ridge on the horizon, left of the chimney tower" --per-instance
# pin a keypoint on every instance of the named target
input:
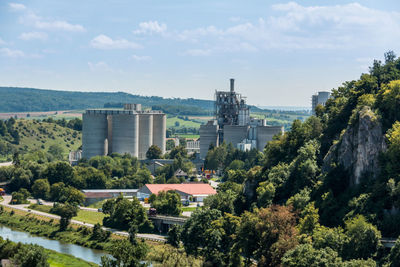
(16, 99)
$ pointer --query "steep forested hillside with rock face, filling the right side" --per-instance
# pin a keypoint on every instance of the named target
(323, 194)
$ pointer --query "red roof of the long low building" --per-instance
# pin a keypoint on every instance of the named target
(190, 189)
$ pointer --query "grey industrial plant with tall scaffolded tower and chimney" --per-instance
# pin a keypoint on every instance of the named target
(233, 124)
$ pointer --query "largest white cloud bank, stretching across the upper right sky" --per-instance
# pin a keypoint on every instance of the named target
(294, 26)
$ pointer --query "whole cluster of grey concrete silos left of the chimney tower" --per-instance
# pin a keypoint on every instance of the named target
(130, 131)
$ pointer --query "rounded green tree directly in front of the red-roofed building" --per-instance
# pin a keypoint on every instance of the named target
(167, 203)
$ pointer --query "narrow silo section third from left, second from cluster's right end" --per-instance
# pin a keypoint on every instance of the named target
(145, 133)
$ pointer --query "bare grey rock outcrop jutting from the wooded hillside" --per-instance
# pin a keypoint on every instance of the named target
(358, 148)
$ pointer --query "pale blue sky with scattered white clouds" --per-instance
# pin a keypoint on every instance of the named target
(279, 52)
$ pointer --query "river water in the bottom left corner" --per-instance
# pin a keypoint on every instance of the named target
(84, 253)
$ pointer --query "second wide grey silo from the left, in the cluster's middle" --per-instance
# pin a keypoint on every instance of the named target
(125, 133)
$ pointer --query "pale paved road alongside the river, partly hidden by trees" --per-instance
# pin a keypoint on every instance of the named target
(7, 199)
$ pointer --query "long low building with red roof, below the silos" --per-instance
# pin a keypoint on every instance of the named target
(195, 191)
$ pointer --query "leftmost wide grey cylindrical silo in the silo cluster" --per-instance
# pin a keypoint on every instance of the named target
(94, 132)
